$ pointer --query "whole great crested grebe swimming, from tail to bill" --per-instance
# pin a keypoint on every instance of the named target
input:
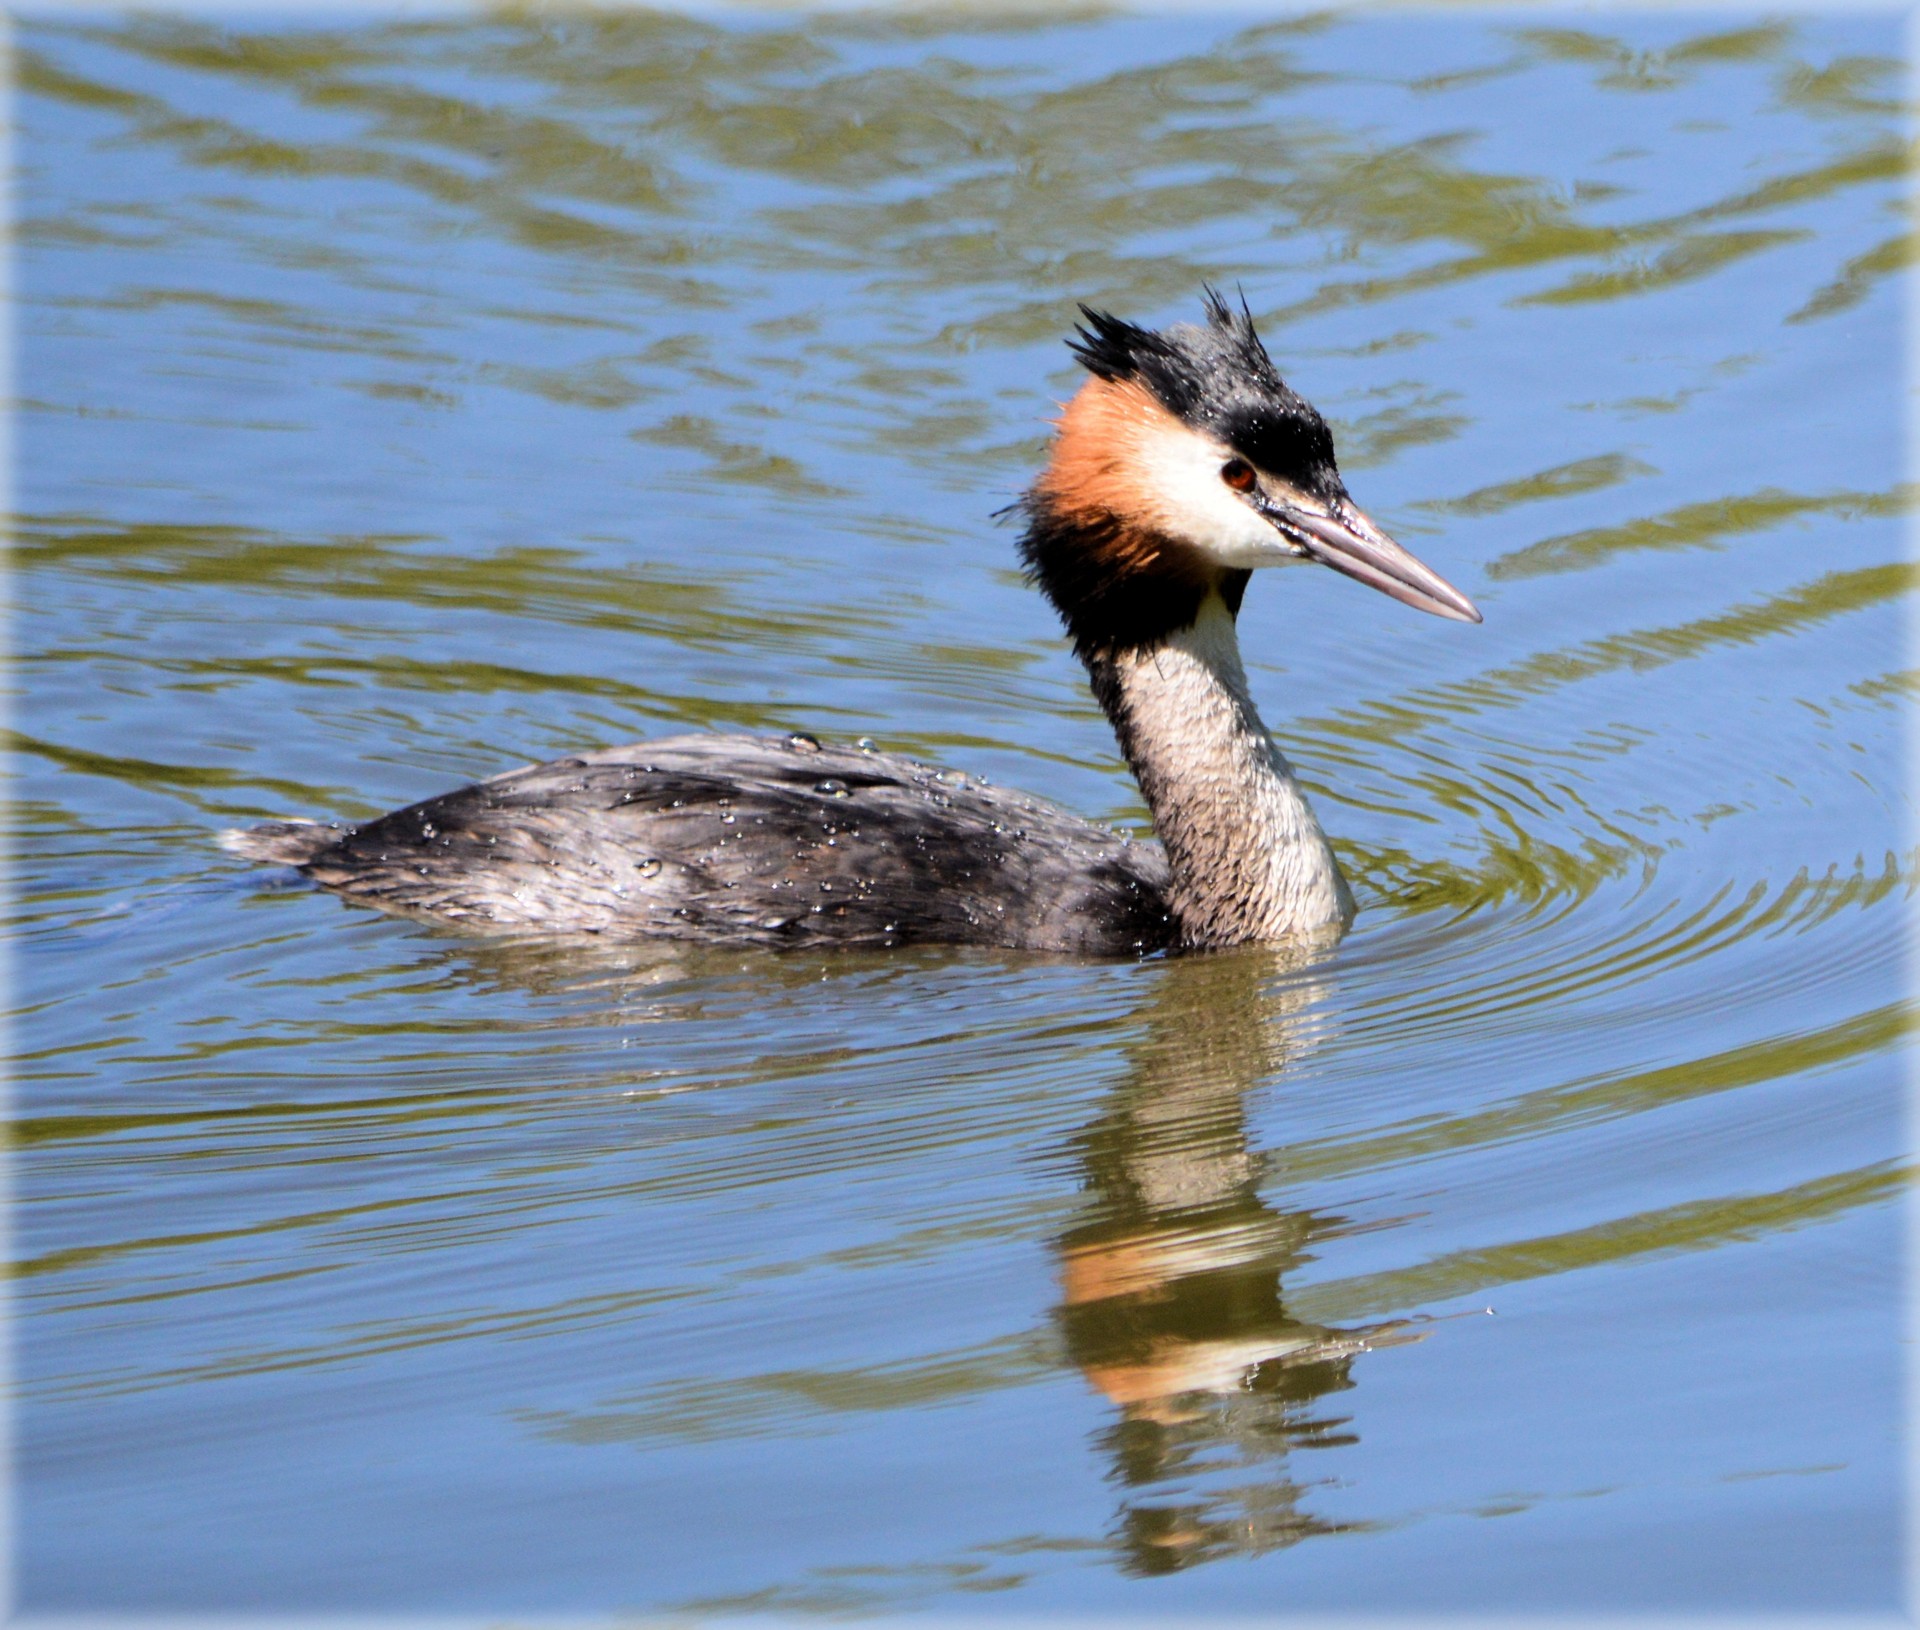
(1182, 466)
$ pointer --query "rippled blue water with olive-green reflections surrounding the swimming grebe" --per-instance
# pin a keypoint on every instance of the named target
(408, 400)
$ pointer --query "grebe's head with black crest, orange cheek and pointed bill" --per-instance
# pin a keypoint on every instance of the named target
(1186, 464)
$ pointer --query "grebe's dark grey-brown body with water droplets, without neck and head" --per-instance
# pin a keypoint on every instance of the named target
(746, 840)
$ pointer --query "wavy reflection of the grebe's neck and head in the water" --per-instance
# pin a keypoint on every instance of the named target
(1172, 1285)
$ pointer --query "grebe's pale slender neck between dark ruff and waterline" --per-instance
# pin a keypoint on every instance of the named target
(1249, 859)
